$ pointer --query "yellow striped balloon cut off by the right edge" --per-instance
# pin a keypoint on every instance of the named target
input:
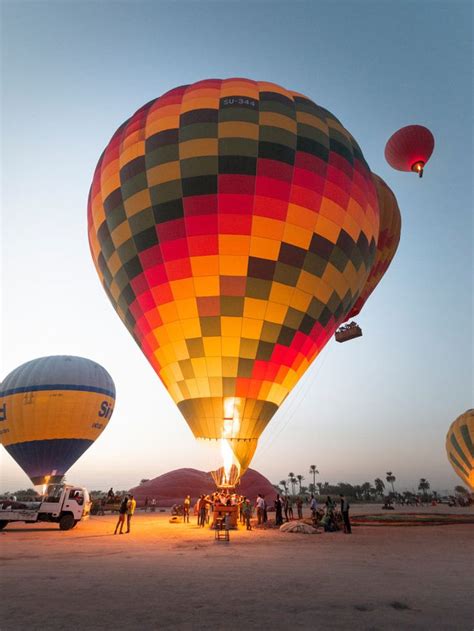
(460, 446)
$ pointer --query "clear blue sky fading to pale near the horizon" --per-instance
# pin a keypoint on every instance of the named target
(74, 71)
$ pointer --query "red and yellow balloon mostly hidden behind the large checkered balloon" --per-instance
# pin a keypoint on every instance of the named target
(387, 241)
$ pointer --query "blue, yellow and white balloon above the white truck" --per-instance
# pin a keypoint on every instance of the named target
(51, 410)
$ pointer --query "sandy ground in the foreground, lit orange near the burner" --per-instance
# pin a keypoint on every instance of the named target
(176, 576)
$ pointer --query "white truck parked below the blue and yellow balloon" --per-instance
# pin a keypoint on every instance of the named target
(64, 504)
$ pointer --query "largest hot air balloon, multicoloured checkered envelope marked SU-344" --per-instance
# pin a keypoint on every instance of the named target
(233, 225)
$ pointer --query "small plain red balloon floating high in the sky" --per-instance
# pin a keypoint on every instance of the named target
(410, 148)
